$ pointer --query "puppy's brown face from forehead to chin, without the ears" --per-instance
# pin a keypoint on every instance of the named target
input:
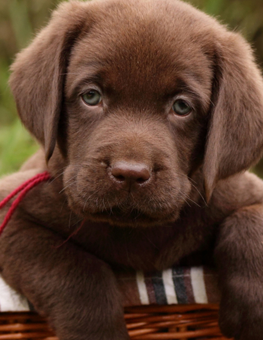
(136, 103)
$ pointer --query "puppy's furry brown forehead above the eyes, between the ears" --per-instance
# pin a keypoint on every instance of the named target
(144, 42)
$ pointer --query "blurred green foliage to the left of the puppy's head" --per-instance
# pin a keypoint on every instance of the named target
(18, 20)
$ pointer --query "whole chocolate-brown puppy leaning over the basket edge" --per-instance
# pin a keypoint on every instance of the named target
(143, 108)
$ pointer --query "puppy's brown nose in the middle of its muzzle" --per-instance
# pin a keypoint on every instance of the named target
(127, 173)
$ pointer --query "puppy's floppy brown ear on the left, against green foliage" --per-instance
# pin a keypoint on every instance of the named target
(39, 73)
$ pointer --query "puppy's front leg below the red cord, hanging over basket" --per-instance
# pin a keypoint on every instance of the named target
(75, 290)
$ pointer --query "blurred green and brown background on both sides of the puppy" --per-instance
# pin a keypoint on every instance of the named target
(21, 19)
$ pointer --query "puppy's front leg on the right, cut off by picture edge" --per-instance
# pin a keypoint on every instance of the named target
(239, 256)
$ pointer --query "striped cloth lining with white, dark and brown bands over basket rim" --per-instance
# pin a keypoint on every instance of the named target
(177, 285)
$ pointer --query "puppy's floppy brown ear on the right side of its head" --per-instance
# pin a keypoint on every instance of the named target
(235, 137)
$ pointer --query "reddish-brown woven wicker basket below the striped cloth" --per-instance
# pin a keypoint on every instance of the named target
(143, 322)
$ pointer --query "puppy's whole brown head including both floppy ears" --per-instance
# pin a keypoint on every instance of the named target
(137, 95)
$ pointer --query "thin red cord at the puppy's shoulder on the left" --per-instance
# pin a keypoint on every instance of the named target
(23, 190)
